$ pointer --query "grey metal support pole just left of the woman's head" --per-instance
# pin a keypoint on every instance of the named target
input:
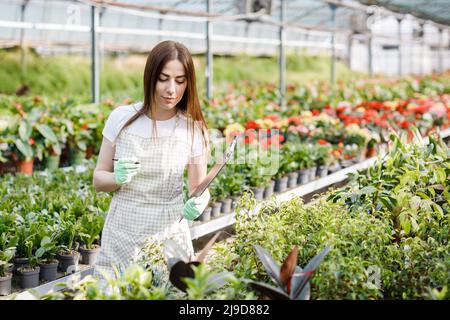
(95, 76)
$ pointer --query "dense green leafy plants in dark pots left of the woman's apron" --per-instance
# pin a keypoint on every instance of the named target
(46, 225)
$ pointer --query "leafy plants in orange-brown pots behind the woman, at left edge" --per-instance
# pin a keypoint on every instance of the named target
(36, 132)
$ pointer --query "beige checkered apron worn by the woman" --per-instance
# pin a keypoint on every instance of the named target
(151, 204)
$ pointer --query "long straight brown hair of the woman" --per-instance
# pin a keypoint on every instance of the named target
(189, 104)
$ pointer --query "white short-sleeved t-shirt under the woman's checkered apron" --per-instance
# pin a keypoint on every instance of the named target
(143, 126)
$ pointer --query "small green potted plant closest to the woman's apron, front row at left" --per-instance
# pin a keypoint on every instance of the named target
(91, 225)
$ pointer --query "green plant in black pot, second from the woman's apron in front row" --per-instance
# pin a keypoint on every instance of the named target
(67, 256)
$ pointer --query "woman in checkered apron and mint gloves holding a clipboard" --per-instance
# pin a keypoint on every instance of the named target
(145, 149)
